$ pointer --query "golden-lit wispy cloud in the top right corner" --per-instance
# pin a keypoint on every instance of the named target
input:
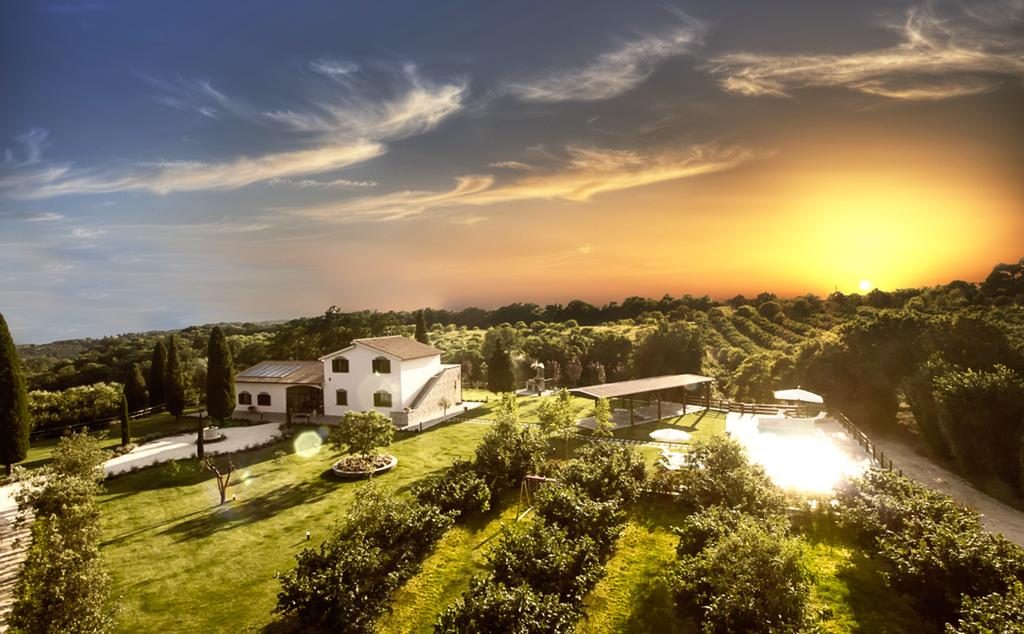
(941, 57)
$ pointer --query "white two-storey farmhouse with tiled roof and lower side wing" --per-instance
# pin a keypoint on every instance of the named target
(397, 376)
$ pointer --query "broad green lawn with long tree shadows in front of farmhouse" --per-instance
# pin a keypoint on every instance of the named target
(180, 563)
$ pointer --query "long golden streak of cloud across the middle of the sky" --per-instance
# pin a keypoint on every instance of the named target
(588, 173)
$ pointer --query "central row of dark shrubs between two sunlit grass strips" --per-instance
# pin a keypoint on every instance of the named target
(541, 572)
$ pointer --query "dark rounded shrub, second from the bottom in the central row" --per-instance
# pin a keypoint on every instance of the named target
(544, 558)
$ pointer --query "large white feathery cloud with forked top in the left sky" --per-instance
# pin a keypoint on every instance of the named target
(353, 130)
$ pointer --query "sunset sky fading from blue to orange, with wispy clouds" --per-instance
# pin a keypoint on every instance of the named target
(176, 163)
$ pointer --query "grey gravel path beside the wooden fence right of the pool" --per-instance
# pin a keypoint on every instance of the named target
(997, 517)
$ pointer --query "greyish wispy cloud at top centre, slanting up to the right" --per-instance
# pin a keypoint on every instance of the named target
(615, 72)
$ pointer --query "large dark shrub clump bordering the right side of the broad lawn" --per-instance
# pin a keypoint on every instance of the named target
(345, 585)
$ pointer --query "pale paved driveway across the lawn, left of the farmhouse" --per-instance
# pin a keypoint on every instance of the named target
(184, 446)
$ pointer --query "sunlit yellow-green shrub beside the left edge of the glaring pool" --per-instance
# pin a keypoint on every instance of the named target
(718, 474)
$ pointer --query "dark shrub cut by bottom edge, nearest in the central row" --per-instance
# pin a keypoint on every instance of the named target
(493, 607)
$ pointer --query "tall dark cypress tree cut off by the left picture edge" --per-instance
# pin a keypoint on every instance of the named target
(14, 403)
